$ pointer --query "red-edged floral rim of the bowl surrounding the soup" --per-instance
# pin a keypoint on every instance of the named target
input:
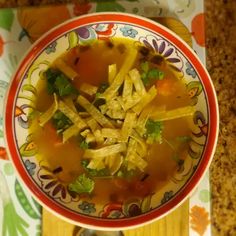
(56, 196)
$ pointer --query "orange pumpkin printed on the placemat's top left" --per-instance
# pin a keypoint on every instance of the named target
(37, 21)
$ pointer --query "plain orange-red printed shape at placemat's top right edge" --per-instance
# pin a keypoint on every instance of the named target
(198, 29)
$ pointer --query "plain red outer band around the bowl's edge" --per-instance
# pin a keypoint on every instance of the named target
(190, 185)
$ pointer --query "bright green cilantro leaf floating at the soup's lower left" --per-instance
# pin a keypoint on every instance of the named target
(82, 184)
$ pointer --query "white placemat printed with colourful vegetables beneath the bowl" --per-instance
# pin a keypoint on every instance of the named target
(19, 213)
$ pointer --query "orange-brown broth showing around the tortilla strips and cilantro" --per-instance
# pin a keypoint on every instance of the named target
(92, 68)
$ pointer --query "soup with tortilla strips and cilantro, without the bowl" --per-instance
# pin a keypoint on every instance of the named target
(114, 117)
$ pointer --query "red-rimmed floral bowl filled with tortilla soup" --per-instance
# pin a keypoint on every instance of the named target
(111, 121)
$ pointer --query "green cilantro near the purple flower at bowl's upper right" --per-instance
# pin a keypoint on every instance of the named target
(149, 75)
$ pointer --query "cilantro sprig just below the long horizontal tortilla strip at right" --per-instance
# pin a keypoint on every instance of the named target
(154, 131)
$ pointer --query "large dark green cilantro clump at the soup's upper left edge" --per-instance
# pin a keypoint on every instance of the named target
(58, 83)
